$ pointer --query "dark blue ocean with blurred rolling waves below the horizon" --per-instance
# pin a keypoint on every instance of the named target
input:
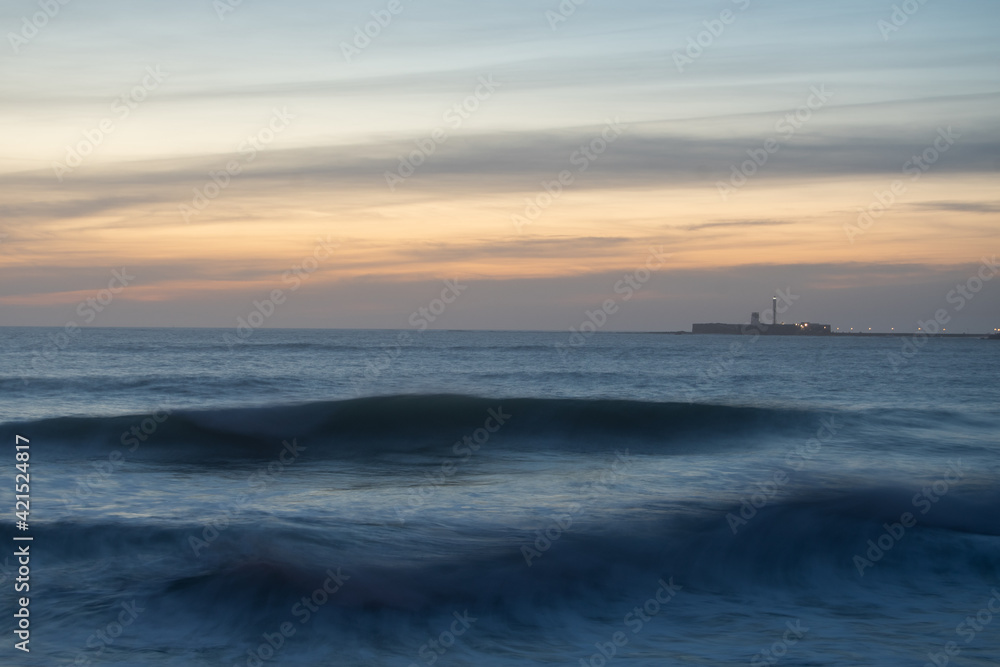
(308, 497)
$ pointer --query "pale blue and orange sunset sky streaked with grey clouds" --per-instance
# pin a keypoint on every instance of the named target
(347, 164)
